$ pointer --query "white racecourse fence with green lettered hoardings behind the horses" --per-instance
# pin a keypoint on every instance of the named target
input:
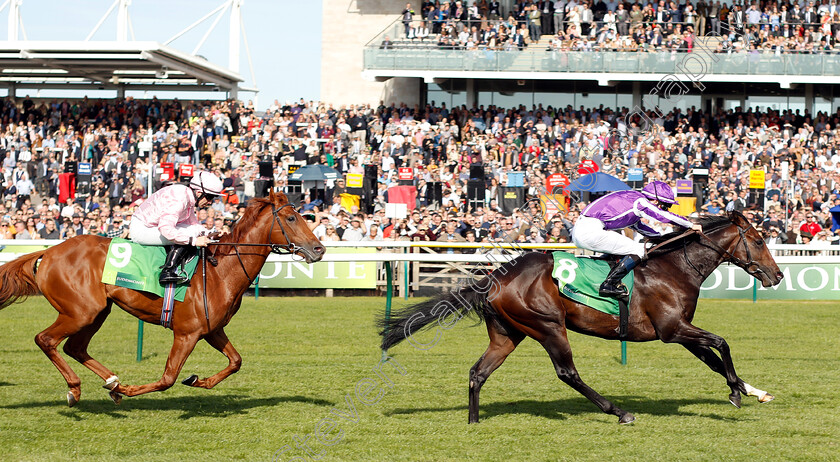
(423, 268)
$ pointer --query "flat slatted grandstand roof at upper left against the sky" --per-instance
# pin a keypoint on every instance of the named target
(109, 65)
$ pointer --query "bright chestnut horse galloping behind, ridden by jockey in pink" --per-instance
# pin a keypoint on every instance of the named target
(69, 276)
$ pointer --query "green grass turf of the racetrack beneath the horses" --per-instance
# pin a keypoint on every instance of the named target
(303, 355)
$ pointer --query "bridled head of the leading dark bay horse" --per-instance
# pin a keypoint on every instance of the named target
(747, 250)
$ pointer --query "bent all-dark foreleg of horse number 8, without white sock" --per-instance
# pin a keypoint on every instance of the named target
(692, 336)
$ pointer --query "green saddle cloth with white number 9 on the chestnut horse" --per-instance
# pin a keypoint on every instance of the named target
(136, 266)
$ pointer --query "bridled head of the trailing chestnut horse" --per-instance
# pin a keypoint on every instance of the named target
(289, 231)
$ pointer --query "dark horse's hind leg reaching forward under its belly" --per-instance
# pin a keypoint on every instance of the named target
(557, 346)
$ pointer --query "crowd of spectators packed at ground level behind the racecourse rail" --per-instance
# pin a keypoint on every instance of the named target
(800, 153)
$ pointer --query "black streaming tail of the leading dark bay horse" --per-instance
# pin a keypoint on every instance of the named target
(446, 308)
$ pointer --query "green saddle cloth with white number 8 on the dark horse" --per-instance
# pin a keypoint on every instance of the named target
(580, 278)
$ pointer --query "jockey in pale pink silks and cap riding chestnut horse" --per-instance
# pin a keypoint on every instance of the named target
(168, 218)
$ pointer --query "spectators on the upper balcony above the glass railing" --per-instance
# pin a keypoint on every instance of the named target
(773, 27)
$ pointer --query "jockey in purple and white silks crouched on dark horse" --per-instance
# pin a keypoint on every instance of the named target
(594, 230)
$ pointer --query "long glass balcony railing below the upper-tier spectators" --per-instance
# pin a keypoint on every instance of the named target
(431, 58)
